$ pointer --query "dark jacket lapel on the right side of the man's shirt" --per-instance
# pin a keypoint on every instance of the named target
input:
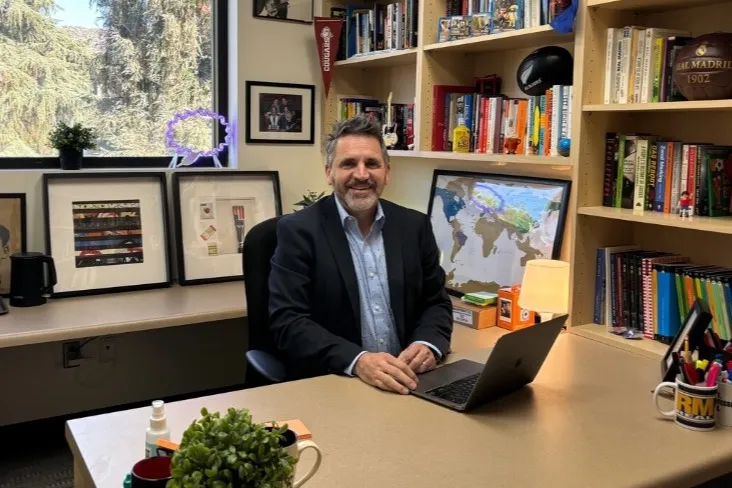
(394, 267)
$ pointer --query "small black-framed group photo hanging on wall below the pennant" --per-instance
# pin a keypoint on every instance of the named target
(280, 113)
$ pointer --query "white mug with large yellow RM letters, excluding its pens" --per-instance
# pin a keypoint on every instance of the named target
(695, 407)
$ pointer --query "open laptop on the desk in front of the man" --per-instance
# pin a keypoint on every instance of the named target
(513, 362)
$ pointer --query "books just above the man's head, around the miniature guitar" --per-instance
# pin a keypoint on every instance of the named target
(402, 115)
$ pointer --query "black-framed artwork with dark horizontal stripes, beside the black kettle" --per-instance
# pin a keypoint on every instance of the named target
(107, 232)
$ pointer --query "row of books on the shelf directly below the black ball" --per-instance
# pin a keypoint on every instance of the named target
(535, 124)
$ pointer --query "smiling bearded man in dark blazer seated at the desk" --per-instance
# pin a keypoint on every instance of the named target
(356, 286)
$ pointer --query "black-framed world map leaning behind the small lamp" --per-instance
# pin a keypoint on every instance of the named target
(488, 226)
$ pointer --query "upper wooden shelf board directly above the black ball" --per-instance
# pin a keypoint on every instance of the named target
(519, 39)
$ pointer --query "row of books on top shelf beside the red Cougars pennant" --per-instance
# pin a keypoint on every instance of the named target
(377, 27)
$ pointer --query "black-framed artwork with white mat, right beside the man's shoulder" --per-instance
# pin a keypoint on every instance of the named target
(214, 210)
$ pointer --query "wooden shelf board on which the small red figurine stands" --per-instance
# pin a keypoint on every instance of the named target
(720, 225)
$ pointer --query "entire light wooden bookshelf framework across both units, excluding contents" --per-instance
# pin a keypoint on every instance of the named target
(411, 75)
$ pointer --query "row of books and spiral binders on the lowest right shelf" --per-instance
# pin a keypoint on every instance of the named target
(652, 291)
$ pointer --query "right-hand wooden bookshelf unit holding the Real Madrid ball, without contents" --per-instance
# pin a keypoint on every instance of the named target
(705, 240)
